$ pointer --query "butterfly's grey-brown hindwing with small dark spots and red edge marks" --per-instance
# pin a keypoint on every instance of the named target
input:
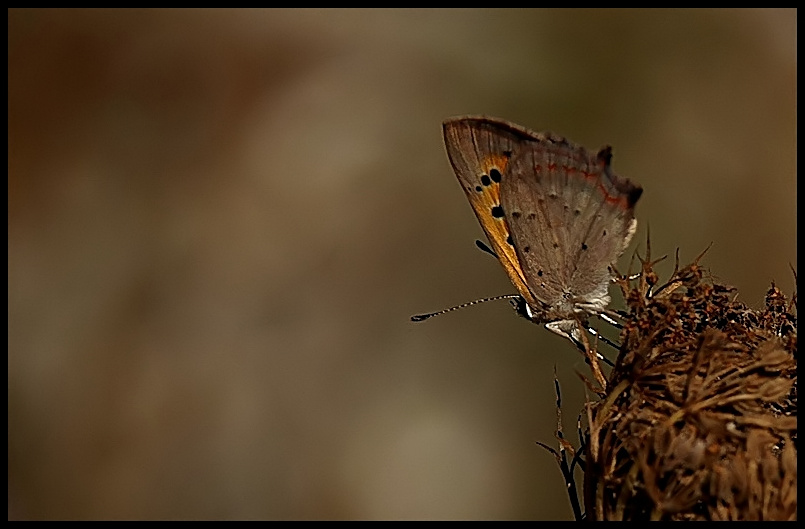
(570, 217)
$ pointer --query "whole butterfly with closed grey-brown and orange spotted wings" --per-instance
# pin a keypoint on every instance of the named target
(555, 214)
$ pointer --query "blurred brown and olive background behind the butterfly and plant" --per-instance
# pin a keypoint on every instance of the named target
(220, 222)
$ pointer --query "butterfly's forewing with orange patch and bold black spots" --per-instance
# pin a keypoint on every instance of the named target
(480, 150)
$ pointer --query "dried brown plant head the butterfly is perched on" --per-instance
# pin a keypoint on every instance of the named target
(698, 418)
